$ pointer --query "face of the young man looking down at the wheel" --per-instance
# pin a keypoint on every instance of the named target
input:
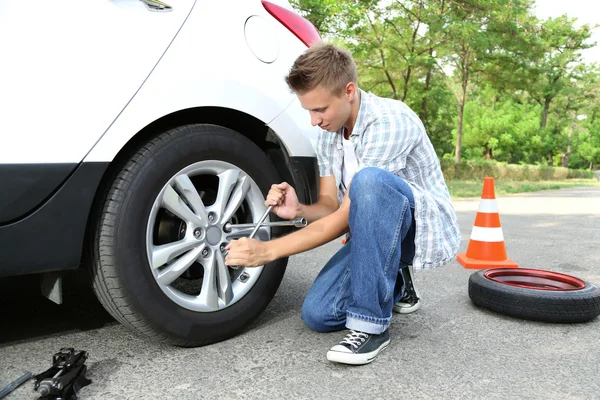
(328, 111)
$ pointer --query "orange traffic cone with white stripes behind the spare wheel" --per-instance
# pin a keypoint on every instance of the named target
(486, 246)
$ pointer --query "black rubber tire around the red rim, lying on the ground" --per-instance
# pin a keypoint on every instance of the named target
(560, 306)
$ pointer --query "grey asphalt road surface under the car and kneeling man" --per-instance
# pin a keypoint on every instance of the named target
(448, 349)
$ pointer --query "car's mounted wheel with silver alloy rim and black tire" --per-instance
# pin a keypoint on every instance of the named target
(158, 263)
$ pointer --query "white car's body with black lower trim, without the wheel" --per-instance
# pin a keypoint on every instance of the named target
(68, 113)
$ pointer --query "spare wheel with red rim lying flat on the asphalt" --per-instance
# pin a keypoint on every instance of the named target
(535, 294)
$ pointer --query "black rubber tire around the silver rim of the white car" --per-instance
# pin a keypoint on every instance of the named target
(122, 279)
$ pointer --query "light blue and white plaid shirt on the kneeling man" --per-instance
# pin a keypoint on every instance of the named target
(389, 135)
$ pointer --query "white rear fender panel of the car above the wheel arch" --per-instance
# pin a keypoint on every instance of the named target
(237, 79)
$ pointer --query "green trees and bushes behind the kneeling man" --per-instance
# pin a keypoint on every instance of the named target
(489, 80)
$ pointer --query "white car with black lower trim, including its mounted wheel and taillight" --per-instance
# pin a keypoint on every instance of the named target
(132, 132)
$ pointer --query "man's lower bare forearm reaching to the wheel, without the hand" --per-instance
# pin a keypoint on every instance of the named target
(318, 233)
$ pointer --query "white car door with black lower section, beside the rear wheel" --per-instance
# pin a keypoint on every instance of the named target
(67, 70)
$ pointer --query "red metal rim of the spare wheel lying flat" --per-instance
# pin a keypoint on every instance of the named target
(534, 279)
